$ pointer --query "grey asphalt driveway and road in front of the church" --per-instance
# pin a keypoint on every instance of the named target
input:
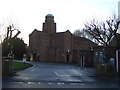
(57, 75)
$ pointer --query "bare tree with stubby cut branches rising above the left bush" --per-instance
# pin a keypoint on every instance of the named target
(9, 31)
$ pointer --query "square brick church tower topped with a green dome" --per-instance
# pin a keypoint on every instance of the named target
(49, 26)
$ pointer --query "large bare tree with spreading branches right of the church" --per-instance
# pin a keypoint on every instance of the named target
(103, 32)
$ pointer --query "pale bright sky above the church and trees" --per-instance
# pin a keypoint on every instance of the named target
(28, 15)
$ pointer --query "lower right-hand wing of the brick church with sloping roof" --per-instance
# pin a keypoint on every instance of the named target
(82, 51)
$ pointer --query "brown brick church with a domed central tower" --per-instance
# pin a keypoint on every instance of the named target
(51, 46)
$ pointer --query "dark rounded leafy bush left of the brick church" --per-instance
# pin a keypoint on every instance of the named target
(18, 47)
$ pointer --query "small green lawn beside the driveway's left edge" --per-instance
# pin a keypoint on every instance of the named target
(20, 65)
